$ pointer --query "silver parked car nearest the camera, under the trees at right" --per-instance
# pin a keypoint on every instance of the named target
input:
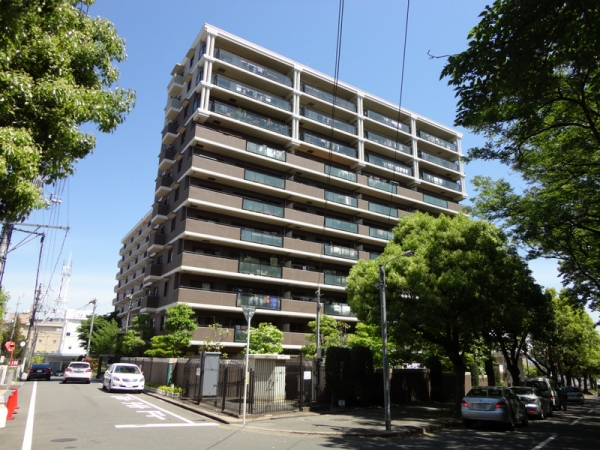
(494, 404)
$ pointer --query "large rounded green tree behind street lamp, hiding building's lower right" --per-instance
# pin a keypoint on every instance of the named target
(443, 294)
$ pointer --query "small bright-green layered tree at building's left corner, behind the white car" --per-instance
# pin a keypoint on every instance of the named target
(180, 325)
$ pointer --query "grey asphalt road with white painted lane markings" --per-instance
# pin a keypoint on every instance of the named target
(81, 416)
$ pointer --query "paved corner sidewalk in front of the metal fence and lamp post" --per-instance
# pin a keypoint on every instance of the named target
(407, 420)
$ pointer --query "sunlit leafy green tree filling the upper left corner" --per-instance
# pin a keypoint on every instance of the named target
(56, 74)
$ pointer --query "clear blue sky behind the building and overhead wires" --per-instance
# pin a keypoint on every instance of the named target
(113, 188)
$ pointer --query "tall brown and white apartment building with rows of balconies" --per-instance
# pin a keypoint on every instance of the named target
(273, 180)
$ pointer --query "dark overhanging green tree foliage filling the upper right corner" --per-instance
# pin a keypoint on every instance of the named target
(529, 82)
